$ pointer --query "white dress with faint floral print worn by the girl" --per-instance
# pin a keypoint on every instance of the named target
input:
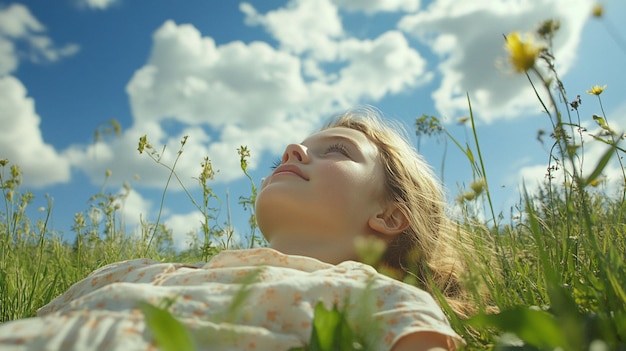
(277, 297)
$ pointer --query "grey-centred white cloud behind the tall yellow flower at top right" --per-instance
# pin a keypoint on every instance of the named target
(468, 37)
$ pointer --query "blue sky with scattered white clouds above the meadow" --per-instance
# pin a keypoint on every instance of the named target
(267, 73)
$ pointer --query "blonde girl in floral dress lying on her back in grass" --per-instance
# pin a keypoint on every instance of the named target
(355, 180)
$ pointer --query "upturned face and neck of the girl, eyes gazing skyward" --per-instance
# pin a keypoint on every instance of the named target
(322, 195)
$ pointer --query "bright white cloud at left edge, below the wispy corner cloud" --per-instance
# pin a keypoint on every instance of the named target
(20, 137)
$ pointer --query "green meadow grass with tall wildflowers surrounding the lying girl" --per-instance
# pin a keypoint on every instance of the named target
(550, 277)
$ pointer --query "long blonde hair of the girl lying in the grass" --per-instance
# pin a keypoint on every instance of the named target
(428, 248)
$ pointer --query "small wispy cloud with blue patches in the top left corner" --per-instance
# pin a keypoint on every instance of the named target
(17, 26)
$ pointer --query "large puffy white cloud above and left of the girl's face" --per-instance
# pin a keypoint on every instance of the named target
(189, 78)
